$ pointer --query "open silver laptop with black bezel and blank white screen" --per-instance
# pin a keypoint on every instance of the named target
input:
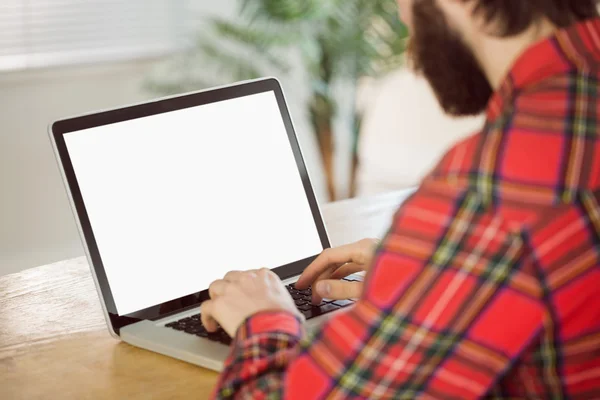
(171, 194)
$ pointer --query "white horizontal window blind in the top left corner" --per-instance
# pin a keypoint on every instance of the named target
(42, 33)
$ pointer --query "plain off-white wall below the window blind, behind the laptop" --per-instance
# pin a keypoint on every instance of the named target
(36, 224)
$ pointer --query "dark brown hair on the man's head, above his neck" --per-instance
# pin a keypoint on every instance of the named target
(511, 17)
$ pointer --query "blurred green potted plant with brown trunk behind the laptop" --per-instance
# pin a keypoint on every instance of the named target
(335, 39)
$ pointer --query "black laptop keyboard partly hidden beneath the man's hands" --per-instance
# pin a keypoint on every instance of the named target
(302, 298)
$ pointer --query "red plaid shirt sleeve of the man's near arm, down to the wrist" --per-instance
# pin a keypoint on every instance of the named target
(450, 303)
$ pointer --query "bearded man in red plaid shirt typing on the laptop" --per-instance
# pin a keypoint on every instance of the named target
(488, 283)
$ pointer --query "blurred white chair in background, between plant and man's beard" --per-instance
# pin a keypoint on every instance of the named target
(404, 133)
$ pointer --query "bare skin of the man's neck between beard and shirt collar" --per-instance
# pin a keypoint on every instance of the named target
(498, 55)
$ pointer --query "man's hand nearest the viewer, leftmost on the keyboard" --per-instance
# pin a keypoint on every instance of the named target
(241, 294)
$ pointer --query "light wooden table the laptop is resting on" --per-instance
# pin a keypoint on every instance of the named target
(54, 343)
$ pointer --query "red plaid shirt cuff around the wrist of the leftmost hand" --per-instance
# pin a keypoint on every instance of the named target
(274, 321)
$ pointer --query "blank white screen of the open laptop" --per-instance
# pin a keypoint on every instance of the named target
(176, 200)
